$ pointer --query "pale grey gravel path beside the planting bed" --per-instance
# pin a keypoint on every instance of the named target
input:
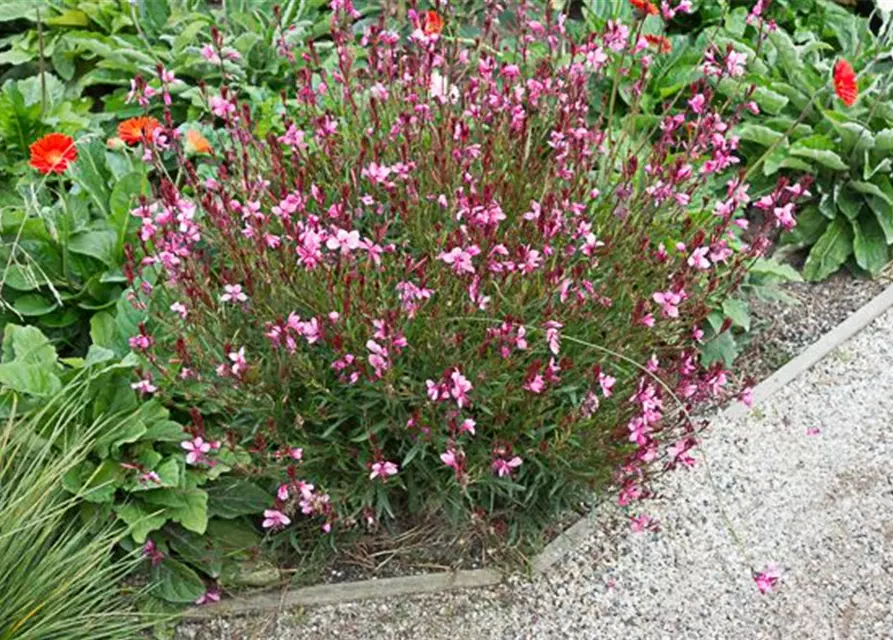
(820, 506)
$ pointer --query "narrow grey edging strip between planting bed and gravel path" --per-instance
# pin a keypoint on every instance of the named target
(554, 551)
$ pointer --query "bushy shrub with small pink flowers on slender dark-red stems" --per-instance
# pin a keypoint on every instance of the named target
(448, 280)
